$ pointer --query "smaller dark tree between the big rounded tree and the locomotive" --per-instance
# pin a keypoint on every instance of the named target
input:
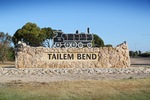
(49, 36)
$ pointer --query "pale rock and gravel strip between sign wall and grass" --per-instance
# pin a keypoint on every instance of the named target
(68, 74)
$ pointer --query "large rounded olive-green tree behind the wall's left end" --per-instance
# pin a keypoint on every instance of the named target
(30, 33)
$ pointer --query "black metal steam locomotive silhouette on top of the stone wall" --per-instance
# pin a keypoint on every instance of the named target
(73, 40)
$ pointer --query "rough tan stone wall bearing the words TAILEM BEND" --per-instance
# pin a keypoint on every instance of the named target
(107, 57)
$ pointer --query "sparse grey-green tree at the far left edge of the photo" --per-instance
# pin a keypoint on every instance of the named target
(5, 41)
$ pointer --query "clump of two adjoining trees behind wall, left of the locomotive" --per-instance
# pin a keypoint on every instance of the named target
(32, 35)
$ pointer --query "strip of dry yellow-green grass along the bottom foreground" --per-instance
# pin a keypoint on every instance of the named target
(127, 89)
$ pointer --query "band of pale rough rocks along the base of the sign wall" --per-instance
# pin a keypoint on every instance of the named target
(67, 71)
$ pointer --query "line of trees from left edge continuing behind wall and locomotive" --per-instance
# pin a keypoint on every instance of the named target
(32, 35)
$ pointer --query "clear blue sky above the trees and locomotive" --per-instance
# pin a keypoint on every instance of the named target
(115, 21)
